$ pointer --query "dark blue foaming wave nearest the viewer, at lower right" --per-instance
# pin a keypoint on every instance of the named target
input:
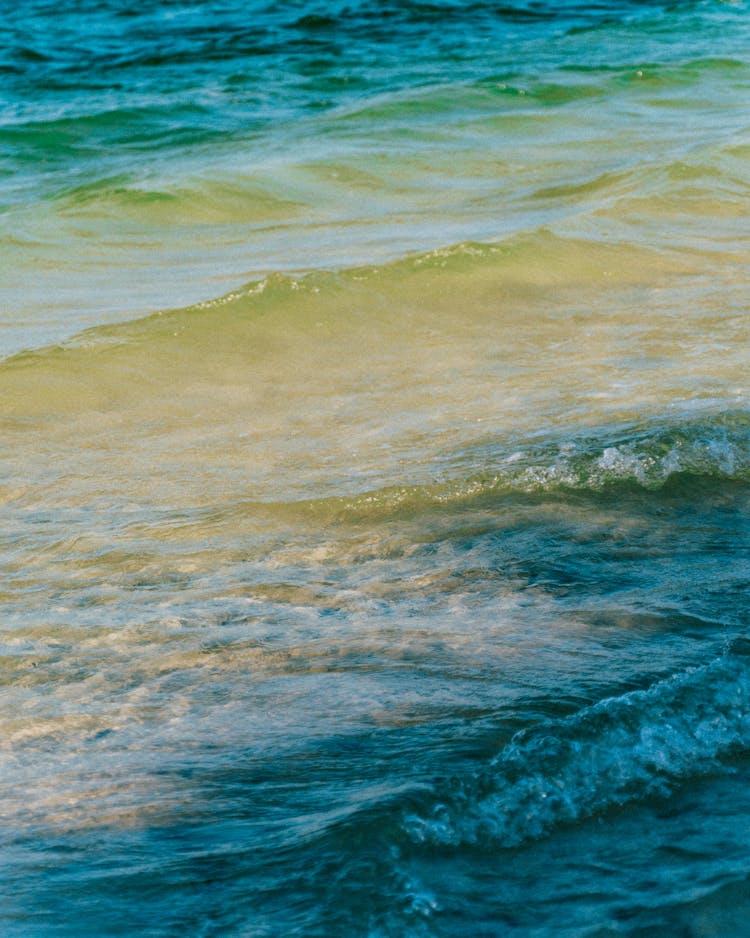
(639, 745)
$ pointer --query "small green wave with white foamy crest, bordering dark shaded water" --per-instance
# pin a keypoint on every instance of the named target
(681, 458)
